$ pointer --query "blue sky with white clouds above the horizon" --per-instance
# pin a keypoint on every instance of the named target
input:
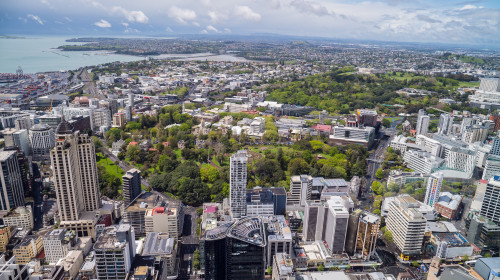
(438, 21)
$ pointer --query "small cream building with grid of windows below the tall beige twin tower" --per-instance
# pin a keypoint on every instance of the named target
(57, 243)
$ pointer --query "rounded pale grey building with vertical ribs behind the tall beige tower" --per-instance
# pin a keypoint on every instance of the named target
(42, 139)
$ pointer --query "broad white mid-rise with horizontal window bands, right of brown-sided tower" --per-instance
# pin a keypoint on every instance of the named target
(406, 224)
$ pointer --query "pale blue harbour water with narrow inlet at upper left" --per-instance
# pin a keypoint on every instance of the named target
(41, 54)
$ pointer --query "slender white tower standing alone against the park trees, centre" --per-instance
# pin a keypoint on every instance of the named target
(238, 184)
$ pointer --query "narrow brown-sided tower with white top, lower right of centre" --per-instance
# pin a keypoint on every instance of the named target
(366, 236)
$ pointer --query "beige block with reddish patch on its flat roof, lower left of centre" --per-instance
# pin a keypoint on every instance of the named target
(165, 219)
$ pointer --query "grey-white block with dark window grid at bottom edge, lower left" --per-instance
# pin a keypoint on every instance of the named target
(113, 255)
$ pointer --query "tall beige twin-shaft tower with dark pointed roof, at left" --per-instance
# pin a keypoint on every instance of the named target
(75, 173)
